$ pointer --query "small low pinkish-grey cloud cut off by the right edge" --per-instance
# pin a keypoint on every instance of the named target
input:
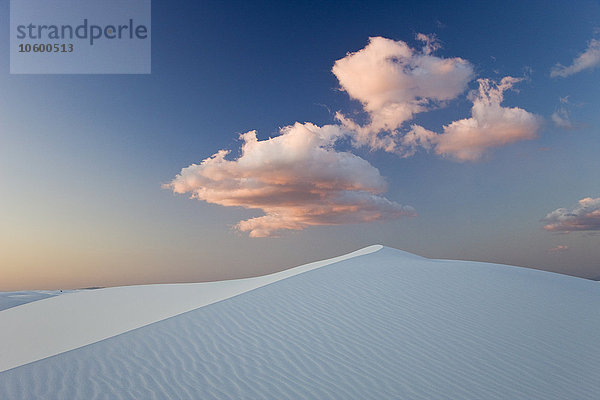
(585, 216)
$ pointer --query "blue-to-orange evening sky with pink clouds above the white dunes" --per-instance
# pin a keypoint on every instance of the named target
(391, 157)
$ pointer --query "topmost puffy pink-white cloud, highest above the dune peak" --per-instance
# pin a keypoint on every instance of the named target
(394, 82)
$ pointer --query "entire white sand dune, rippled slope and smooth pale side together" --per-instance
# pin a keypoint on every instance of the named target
(377, 324)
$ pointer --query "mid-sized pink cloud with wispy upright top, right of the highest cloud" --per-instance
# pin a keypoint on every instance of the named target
(490, 125)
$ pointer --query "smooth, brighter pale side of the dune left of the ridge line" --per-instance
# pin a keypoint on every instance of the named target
(41, 329)
